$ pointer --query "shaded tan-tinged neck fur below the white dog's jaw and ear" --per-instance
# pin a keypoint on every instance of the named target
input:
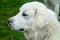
(42, 34)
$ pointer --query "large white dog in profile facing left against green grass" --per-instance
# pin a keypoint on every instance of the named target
(37, 22)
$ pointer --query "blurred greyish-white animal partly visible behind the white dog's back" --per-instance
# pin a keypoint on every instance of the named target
(53, 5)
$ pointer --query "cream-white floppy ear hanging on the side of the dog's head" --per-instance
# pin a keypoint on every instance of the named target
(41, 19)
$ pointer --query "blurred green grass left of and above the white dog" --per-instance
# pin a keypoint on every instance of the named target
(9, 8)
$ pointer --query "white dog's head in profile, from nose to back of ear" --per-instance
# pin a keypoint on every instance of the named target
(30, 14)
